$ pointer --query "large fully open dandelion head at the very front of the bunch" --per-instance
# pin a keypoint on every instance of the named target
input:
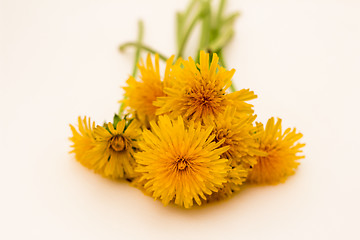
(181, 164)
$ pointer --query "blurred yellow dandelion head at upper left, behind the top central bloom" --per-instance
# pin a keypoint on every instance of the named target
(140, 95)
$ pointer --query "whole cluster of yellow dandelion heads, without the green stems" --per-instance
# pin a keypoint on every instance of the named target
(184, 138)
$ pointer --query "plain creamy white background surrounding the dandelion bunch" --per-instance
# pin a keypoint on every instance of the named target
(59, 59)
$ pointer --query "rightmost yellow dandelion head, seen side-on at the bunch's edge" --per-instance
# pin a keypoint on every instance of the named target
(282, 154)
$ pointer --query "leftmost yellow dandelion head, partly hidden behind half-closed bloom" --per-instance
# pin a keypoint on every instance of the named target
(83, 140)
